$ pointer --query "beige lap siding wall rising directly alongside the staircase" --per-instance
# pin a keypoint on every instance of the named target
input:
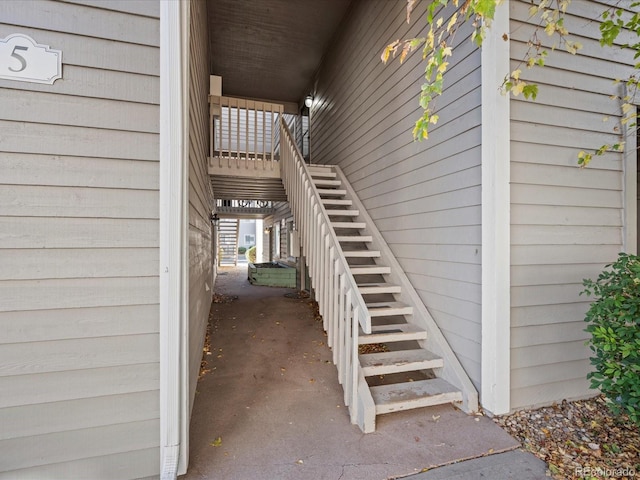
(423, 196)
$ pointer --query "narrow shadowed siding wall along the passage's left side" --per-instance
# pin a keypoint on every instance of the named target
(200, 194)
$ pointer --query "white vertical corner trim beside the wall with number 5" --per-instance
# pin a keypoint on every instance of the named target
(174, 21)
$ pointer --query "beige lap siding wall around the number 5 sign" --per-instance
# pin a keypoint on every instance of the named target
(79, 355)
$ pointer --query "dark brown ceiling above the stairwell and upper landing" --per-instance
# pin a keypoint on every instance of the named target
(270, 49)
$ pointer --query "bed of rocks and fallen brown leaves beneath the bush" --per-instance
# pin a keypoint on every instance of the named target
(579, 440)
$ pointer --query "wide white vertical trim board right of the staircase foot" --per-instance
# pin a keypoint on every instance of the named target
(495, 356)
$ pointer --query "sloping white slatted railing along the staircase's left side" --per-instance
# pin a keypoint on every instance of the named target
(340, 303)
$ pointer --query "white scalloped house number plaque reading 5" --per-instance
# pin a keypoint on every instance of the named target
(24, 60)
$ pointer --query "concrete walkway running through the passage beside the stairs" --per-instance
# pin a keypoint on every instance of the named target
(271, 407)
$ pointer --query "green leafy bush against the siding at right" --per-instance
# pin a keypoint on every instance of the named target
(614, 325)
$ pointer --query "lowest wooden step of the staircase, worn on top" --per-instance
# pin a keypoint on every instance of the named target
(408, 395)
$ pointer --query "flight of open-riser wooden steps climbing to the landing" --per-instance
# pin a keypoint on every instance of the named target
(400, 372)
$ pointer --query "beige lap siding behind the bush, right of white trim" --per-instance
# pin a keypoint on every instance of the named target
(566, 223)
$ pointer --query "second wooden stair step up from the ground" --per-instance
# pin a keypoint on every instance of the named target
(385, 363)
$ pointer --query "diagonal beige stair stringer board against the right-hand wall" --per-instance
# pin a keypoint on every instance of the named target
(452, 372)
